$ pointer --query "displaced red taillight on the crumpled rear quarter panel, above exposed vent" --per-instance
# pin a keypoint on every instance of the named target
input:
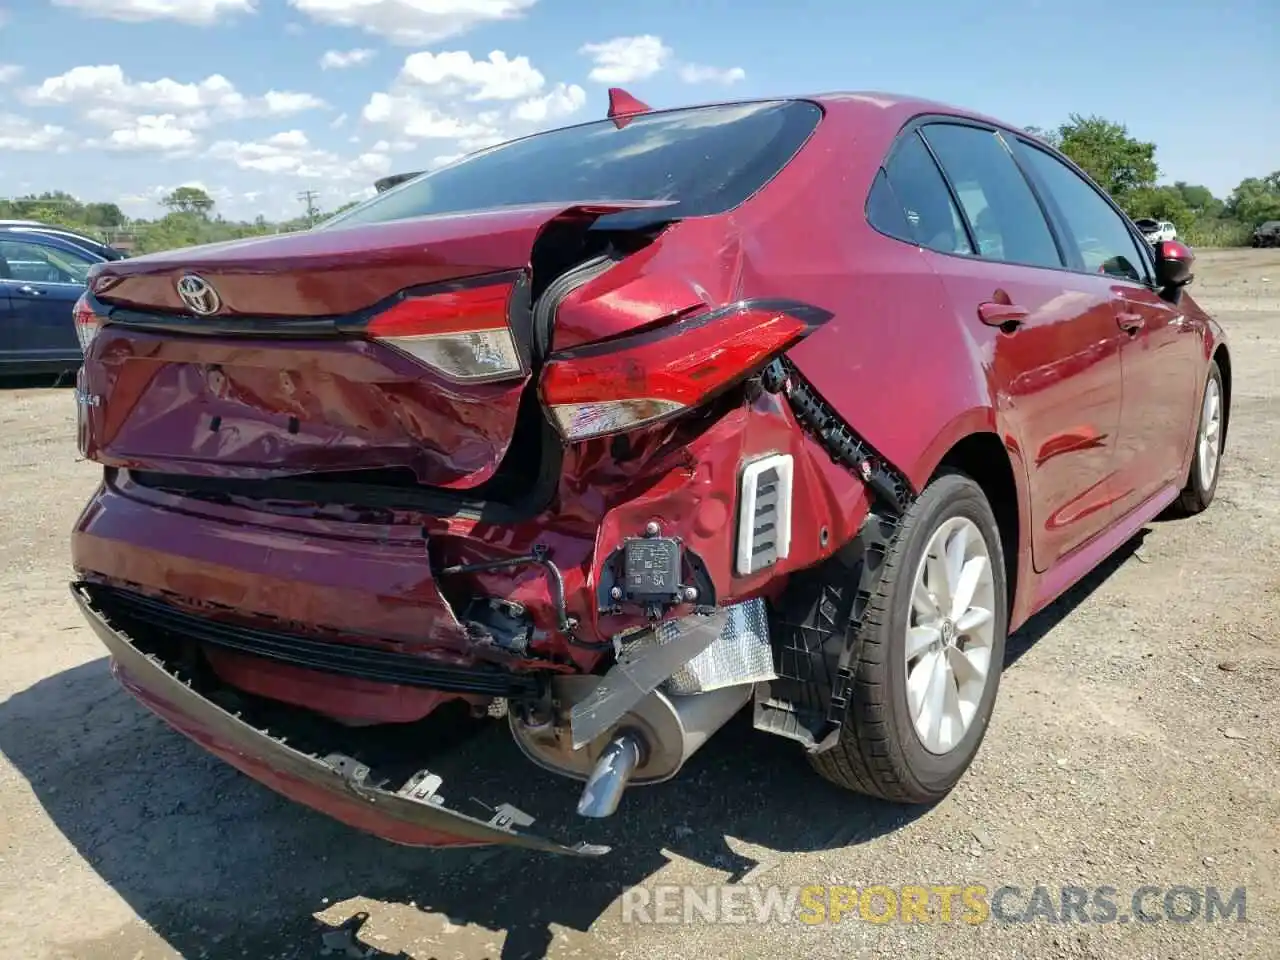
(625, 385)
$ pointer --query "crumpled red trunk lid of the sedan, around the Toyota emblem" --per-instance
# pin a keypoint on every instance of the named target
(280, 381)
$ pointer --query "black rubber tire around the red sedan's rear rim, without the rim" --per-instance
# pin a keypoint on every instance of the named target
(879, 752)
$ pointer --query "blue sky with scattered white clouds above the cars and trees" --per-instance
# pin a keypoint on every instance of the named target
(124, 100)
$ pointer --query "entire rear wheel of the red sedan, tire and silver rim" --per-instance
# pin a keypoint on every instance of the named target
(929, 653)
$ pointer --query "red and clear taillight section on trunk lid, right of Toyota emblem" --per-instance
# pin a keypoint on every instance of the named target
(463, 335)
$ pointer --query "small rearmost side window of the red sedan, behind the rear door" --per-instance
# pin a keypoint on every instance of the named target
(911, 202)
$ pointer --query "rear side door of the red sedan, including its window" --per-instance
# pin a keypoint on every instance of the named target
(1055, 364)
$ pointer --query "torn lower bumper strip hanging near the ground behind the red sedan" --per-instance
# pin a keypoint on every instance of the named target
(336, 785)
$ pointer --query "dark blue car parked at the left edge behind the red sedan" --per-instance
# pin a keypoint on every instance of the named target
(42, 277)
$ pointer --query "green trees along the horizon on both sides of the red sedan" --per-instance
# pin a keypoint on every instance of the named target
(1121, 164)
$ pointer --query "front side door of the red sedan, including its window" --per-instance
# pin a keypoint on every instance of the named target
(1162, 353)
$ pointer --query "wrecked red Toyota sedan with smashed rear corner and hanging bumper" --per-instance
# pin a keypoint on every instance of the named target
(614, 431)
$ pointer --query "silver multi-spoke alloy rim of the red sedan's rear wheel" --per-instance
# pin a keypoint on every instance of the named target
(950, 636)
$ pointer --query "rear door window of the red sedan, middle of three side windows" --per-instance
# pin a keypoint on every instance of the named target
(1007, 220)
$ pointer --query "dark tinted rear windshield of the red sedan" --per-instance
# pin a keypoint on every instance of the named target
(707, 161)
